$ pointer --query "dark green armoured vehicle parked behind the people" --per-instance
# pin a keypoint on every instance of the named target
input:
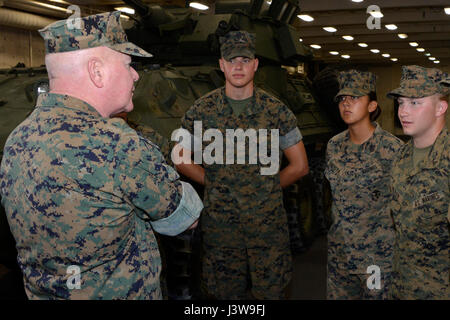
(186, 49)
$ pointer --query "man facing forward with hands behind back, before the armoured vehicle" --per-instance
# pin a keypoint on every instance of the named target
(244, 224)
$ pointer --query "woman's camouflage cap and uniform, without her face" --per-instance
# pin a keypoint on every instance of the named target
(361, 234)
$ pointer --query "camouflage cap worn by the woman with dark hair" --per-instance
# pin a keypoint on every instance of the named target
(356, 83)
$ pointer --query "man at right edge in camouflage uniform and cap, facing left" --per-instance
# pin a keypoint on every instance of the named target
(420, 188)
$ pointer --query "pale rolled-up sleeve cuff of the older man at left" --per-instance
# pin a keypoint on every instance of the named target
(184, 216)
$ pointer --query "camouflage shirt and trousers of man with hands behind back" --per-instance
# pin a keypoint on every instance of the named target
(242, 208)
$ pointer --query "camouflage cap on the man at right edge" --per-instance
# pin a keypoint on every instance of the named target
(418, 82)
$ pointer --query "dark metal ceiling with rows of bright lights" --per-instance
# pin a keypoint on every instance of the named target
(424, 21)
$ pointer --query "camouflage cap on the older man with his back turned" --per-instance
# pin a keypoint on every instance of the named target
(98, 30)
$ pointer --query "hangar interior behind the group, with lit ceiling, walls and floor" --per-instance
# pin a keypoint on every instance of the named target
(378, 36)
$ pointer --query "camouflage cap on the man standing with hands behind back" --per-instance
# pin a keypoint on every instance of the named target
(237, 44)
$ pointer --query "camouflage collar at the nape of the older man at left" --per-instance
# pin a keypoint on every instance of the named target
(65, 101)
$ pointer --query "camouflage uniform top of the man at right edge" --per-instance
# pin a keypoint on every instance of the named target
(420, 207)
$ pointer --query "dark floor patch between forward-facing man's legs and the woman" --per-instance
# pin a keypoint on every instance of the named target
(310, 272)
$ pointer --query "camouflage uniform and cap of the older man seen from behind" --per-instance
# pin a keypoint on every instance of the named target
(85, 191)
